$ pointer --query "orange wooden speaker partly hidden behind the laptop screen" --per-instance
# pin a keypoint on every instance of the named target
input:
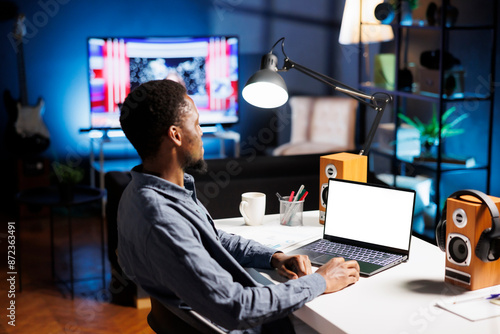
(344, 166)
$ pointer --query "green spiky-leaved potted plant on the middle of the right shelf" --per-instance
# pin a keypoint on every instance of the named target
(429, 133)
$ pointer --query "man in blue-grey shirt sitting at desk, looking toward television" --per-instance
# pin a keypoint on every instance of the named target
(167, 240)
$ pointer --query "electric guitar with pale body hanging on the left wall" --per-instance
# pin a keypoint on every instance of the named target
(26, 131)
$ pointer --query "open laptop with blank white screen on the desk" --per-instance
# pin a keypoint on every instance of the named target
(369, 223)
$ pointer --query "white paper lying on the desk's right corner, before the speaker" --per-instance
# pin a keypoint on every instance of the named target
(471, 308)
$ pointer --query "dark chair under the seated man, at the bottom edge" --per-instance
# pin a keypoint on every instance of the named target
(172, 320)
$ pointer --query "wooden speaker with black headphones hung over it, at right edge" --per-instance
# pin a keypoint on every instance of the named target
(466, 219)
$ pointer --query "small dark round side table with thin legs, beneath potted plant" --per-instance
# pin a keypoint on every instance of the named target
(49, 196)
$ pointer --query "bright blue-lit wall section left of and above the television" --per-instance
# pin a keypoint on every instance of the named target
(55, 54)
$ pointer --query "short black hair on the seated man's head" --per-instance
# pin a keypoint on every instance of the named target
(148, 111)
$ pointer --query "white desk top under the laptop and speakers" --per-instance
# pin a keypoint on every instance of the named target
(399, 300)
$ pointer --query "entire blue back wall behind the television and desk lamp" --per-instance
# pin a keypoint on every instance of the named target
(56, 56)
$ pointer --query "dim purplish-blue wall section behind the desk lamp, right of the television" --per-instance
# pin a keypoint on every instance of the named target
(311, 34)
